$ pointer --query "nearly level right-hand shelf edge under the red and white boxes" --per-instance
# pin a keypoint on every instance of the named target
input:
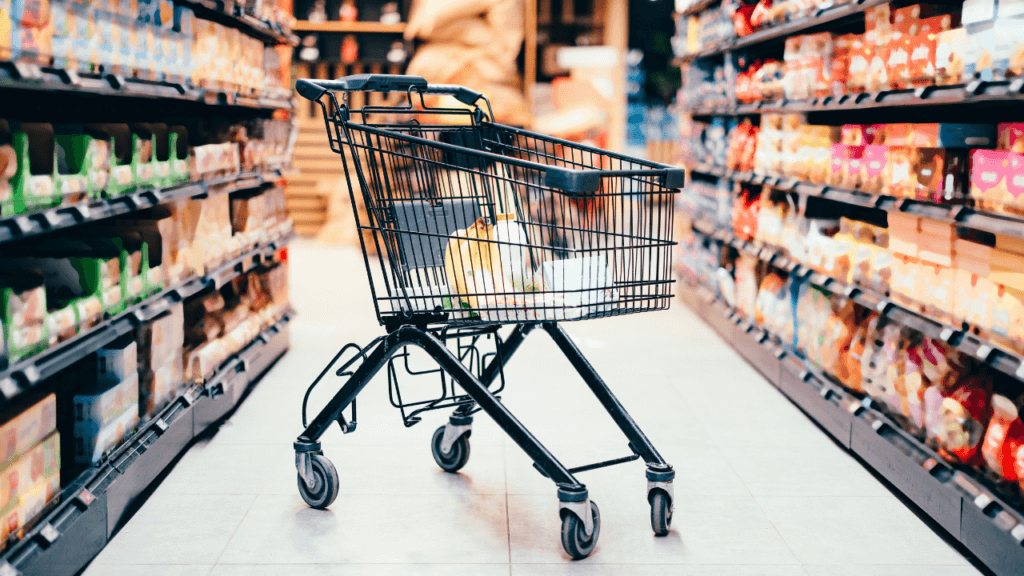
(975, 94)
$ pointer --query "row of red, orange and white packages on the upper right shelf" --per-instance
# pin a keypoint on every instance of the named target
(903, 48)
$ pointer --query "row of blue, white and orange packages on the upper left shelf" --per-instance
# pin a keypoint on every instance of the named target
(148, 39)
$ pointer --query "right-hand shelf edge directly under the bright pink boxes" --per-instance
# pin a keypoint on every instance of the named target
(960, 216)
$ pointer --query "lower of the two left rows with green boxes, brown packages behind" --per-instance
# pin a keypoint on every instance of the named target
(64, 286)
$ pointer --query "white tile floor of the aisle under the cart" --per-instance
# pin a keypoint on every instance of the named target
(761, 491)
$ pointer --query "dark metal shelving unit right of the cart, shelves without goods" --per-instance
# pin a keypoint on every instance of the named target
(986, 519)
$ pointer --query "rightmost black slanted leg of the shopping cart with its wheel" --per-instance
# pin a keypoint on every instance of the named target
(660, 474)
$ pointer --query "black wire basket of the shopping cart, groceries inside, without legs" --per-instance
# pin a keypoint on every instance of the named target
(483, 239)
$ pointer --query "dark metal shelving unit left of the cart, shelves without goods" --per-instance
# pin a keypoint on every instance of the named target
(92, 507)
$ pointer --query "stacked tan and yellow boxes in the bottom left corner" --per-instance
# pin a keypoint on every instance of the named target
(30, 469)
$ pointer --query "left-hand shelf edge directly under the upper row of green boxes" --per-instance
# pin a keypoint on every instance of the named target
(19, 227)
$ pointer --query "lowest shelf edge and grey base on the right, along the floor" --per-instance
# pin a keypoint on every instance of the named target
(978, 518)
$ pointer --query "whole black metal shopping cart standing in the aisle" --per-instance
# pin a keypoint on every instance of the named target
(477, 226)
